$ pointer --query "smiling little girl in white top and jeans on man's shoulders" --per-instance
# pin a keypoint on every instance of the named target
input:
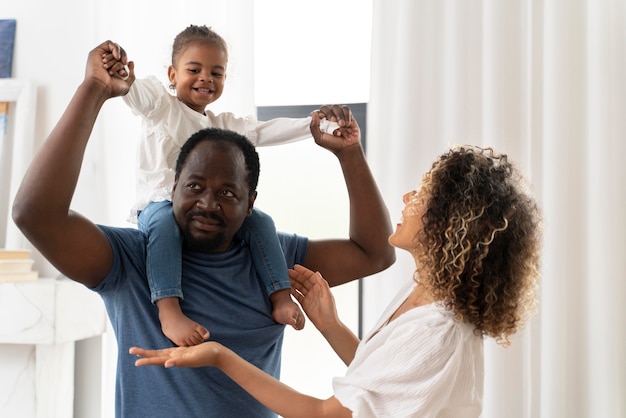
(197, 75)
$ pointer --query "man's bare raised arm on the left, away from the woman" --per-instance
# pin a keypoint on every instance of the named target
(72, 243)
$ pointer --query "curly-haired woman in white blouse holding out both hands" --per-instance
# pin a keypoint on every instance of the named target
(474, 233)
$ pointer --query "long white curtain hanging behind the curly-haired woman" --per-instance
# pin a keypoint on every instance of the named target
(544, 83)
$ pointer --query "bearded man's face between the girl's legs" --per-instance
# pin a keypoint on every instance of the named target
(210, 198)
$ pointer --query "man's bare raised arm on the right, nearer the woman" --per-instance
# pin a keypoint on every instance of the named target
(366, 251)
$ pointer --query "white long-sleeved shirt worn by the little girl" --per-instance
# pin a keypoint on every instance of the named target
(167, 123)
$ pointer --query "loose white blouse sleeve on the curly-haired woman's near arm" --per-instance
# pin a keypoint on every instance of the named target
(407, 370)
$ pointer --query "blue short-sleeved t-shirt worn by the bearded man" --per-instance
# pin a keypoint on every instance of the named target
(222, 292)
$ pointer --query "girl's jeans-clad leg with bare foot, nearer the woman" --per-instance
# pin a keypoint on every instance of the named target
(269, 261)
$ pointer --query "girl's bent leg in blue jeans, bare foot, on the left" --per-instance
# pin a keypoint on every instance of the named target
(163, 267)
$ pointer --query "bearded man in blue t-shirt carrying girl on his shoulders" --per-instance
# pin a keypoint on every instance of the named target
(213, 193)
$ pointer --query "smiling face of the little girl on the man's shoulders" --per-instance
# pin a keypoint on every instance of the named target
(199, 74)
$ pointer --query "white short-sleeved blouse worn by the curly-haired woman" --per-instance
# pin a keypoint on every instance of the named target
(422, 364)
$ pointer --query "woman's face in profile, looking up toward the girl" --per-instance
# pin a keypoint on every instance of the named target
(411, 223)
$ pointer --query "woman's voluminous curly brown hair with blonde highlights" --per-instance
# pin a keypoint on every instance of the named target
(480, 241)
